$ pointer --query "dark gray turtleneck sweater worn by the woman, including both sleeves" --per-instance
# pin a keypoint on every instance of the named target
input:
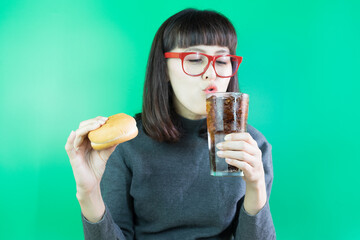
(158, 191)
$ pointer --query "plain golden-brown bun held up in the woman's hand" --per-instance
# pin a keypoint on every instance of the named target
(117, 129)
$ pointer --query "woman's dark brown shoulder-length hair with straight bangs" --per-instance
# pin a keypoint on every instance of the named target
(186, 28)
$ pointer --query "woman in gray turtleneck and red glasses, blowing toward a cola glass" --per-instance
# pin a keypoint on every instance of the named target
(158, 186)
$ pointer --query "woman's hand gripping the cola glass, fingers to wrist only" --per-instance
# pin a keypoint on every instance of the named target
(241, 150)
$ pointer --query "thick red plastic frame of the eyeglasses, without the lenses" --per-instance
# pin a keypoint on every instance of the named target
(210, 58)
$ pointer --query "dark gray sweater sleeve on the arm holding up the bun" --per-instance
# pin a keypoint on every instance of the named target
(117, 220)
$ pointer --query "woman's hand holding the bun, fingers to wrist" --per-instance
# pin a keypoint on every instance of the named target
(88, 165)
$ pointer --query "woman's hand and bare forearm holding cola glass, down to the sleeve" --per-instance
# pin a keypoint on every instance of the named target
(241, 150)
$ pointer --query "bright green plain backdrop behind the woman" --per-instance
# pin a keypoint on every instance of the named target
(62, 62)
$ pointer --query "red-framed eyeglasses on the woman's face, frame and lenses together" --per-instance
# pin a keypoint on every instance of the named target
(196, 64)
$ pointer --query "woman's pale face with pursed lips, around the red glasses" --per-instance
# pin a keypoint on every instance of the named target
(189, 92)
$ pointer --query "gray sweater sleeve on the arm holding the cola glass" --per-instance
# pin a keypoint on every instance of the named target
(259, 226)
